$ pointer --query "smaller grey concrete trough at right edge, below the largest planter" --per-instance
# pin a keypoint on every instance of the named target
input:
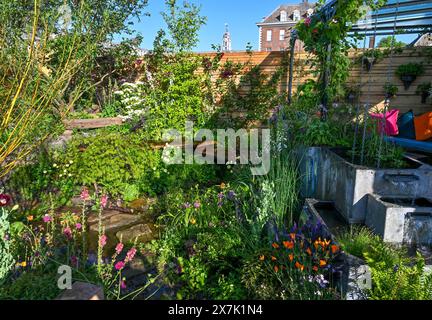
(400, 220)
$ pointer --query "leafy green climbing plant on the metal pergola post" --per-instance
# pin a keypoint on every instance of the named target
(326, 37)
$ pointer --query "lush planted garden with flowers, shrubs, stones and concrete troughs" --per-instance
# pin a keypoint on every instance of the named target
(90, 198)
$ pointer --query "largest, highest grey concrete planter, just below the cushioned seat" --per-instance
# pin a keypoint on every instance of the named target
(328, 176)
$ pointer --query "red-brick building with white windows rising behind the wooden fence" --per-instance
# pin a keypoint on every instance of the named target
(274, 30)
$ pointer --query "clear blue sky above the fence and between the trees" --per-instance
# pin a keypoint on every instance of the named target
(241, 16)
